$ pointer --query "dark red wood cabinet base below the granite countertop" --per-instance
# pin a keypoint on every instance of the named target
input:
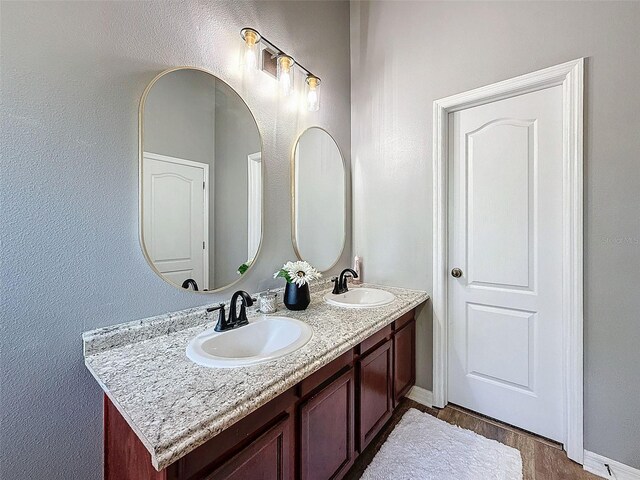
(313, 431)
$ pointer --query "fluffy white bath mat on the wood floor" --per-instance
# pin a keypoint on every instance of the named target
(422, 447)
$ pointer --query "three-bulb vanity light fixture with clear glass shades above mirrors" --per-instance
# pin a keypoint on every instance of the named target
(283, 64)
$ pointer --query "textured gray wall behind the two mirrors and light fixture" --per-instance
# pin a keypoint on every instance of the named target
(72, 75)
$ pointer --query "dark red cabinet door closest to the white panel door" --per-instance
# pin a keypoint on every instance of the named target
(404, 360)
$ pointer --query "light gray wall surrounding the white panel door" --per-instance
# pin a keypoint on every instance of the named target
(405, 55)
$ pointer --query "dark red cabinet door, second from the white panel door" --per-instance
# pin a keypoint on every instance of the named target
(376, 395)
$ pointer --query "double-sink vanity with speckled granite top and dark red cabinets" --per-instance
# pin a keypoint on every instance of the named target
(295, 394)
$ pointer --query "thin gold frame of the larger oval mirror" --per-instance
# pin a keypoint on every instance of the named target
(140, 179)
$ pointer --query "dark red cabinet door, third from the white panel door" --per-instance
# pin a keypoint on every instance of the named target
(327, 446)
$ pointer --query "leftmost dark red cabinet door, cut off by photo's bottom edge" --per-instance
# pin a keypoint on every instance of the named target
(268, 457)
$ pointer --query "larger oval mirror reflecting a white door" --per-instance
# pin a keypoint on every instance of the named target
(200, 180)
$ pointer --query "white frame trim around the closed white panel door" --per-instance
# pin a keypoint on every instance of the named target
(571, 76)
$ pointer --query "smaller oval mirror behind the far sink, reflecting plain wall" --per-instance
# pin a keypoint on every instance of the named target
(319, 199)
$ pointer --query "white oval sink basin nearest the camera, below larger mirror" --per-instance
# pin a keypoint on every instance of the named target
(264, 339)
